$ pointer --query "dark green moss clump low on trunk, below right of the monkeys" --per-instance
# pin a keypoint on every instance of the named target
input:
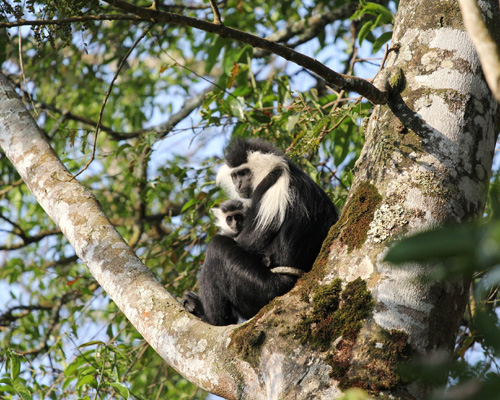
(335, 313)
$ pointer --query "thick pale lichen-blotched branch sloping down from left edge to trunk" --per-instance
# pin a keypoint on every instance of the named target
(195, 349)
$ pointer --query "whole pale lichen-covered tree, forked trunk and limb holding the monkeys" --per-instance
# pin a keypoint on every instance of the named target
(426, 162)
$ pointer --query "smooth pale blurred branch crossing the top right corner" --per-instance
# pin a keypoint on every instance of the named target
(485, 45)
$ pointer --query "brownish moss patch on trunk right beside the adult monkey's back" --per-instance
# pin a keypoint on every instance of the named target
(352, 227)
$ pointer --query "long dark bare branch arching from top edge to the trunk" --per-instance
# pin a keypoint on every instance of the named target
(346, 82)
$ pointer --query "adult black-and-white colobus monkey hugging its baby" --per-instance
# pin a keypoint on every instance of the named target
(287, 220)
